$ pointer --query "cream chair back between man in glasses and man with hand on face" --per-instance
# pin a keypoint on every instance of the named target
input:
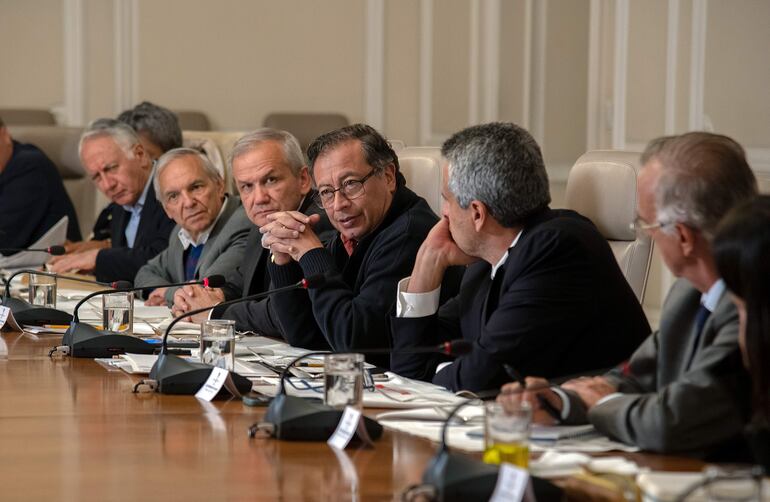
(421, 166)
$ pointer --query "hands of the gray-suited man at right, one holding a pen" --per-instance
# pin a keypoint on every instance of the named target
(589, 389)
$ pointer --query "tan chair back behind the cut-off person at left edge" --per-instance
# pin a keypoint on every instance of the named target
(60, 144)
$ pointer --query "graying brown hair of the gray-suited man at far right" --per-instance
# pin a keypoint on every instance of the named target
(703, 176)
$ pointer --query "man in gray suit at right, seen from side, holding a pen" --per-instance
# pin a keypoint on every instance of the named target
(684, 389)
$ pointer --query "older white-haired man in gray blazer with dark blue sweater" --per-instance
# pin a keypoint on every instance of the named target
(211, 228)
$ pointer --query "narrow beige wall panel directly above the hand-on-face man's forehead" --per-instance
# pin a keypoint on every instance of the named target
(451, 46)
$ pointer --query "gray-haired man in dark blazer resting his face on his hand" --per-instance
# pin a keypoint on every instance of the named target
(542, 294)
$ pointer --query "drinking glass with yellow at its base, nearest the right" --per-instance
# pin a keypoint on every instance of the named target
(506, 433)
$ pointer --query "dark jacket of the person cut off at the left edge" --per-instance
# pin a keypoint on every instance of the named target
(32, 199)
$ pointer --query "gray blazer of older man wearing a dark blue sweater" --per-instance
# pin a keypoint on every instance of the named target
(222, 253)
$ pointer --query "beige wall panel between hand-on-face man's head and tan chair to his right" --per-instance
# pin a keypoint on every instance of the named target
(566, 81)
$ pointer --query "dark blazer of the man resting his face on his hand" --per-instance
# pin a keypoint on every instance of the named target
(563, 307)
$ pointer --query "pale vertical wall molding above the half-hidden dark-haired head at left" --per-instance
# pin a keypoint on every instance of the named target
(126, 53)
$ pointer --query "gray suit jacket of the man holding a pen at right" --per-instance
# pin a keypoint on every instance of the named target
(667, 406)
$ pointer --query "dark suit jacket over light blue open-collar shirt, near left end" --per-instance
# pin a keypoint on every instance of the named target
(120, 262)
